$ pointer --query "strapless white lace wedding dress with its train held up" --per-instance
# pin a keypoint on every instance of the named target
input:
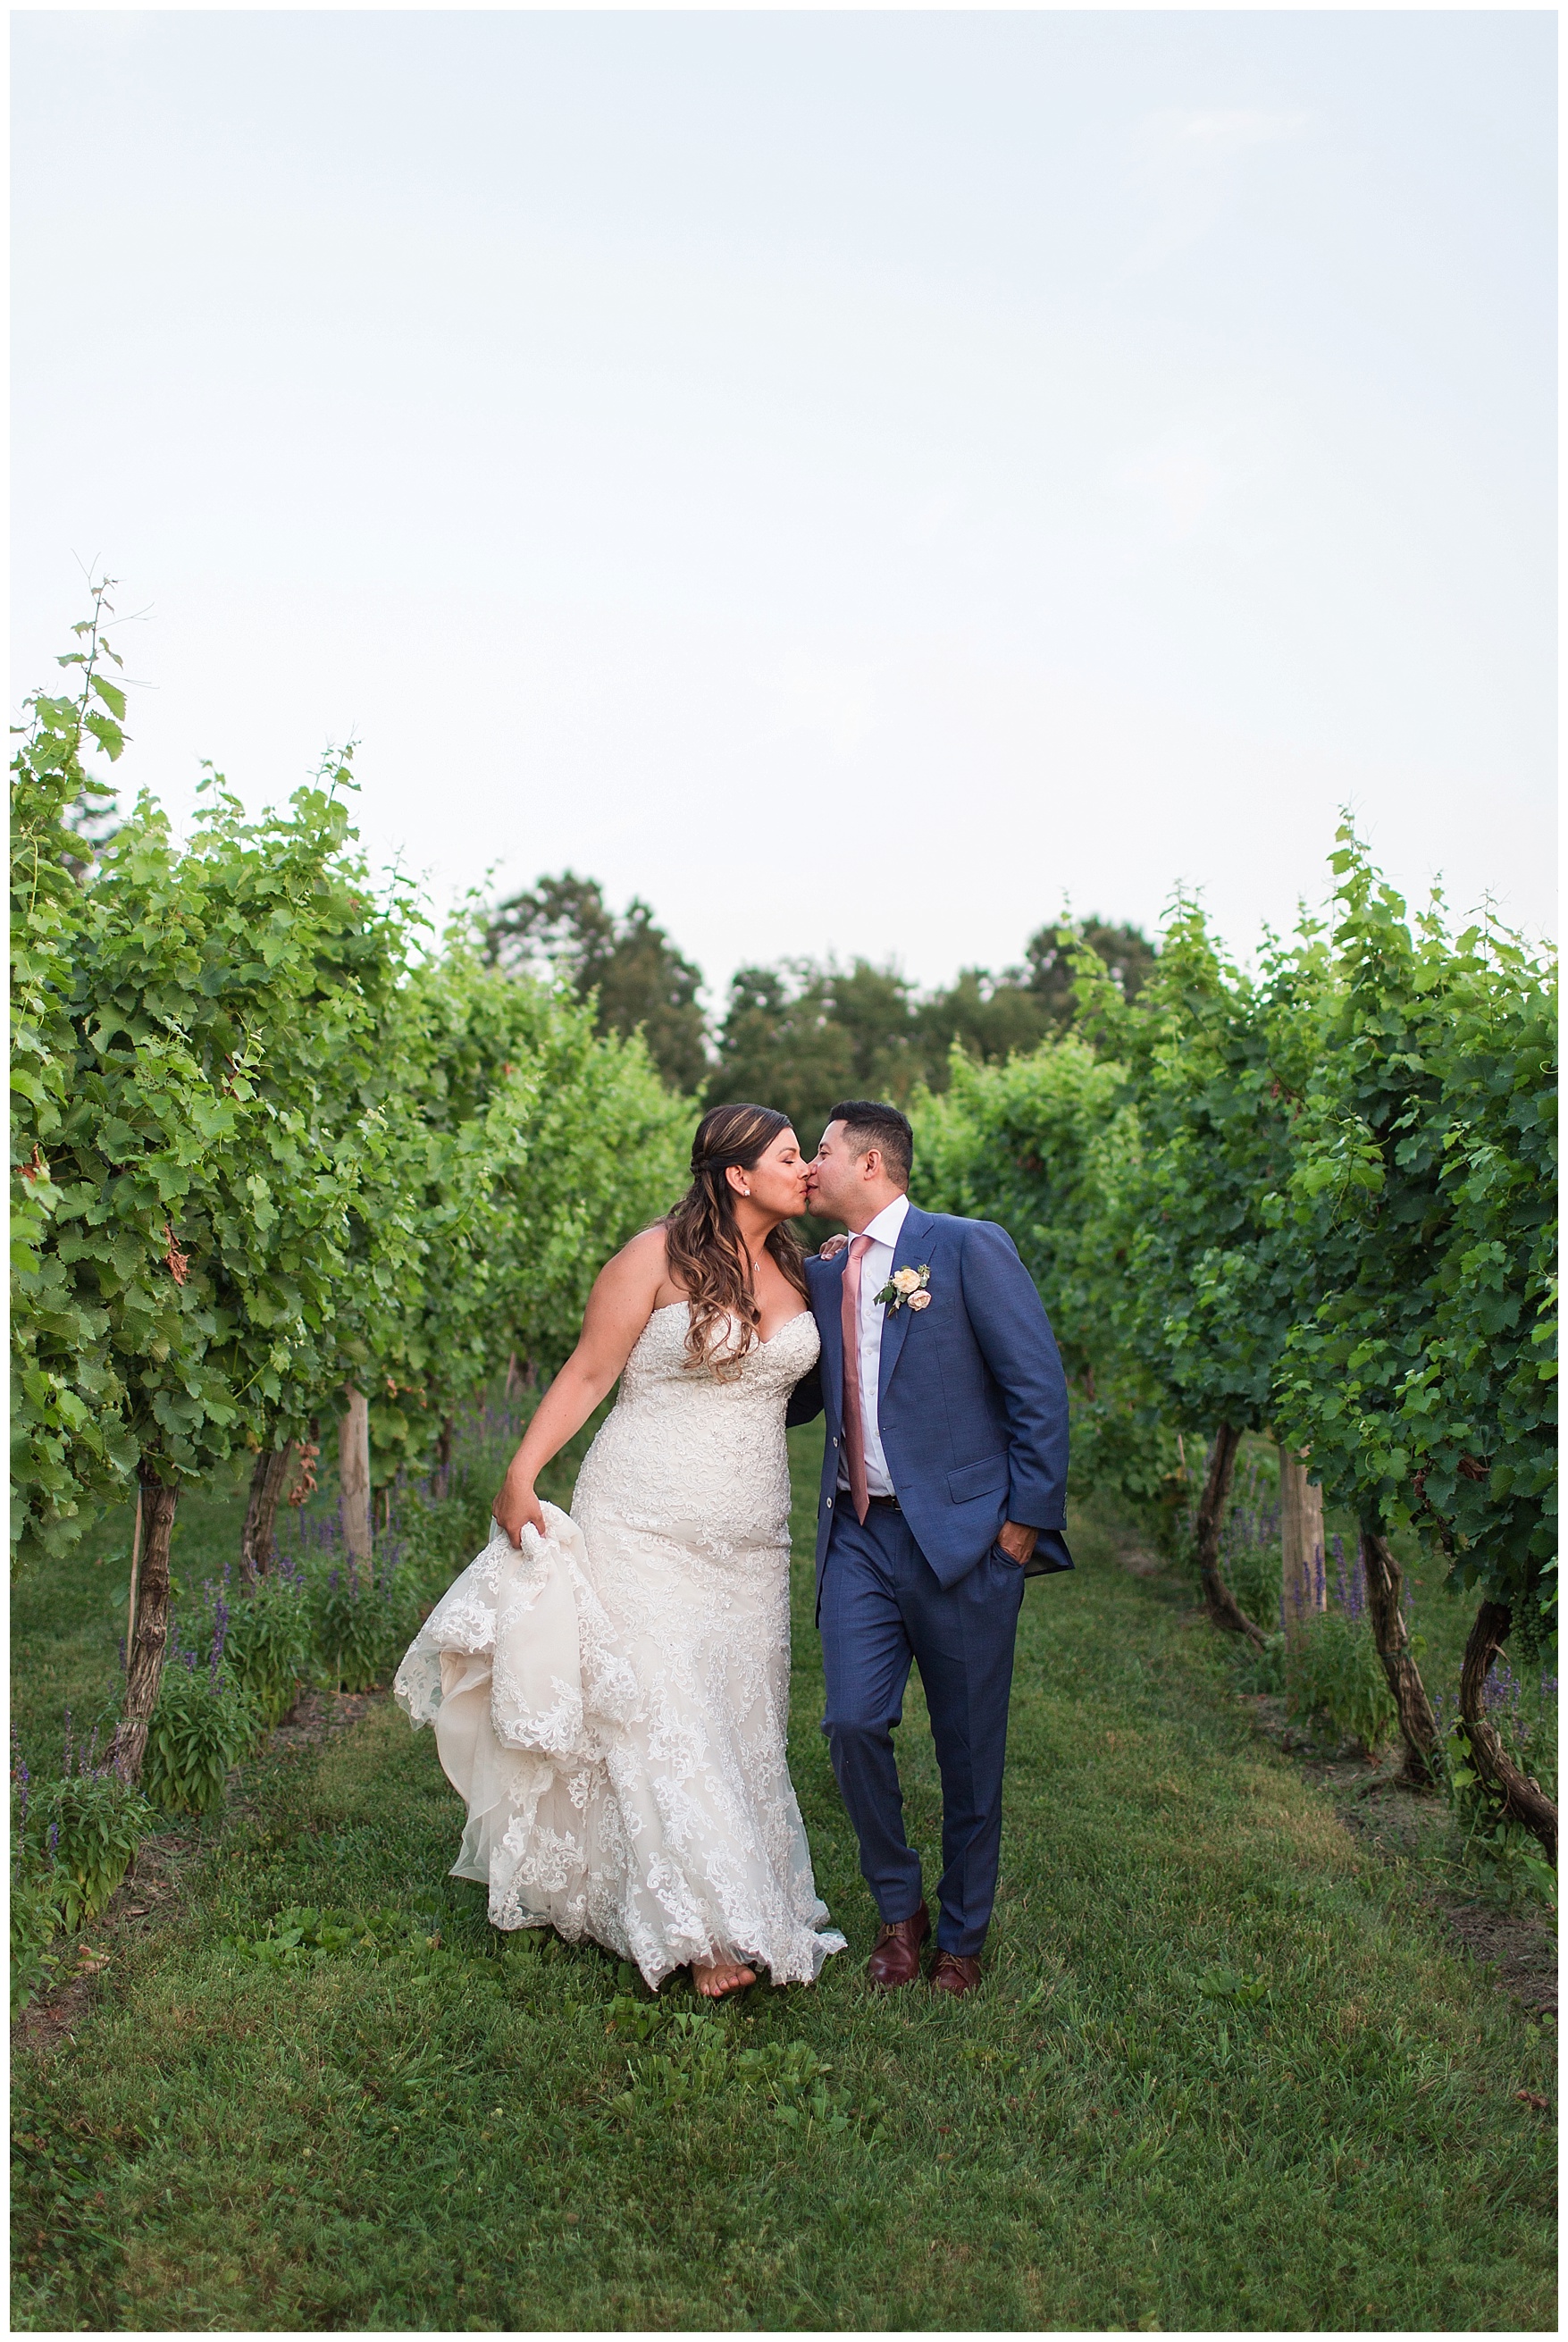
(612, 1701)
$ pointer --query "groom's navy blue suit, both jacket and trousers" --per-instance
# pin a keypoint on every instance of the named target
(972, 1416)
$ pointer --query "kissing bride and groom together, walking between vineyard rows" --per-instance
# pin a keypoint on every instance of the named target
(610, 1687)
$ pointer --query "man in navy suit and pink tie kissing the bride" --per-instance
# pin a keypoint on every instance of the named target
(944, 1486)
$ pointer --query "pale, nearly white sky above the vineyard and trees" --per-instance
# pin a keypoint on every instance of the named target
(851, 479)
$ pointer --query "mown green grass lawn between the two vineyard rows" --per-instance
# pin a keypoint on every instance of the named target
(1227, 2069)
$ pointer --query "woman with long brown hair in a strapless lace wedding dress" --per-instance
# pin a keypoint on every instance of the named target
(610, 1690)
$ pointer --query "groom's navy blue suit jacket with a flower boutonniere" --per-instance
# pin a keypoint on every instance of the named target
(972, 1399)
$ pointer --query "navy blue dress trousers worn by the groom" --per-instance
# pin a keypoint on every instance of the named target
(883, 1608)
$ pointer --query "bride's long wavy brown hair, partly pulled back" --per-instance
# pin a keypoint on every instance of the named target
(703, 1242)
